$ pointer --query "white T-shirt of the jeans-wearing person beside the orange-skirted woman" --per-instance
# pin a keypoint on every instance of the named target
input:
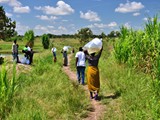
(81, 58)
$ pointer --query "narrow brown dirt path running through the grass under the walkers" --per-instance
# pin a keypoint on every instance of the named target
(97, 108)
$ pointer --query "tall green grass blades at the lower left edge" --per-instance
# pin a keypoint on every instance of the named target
(7, 90)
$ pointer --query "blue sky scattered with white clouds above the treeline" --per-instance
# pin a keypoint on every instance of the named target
(68, 16)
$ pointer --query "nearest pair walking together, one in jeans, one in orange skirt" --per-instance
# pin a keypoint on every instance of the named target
(93, 79)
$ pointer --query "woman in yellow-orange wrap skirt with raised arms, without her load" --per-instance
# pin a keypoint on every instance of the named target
(93, 79)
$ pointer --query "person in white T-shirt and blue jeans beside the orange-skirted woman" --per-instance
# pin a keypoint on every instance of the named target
(80, 65)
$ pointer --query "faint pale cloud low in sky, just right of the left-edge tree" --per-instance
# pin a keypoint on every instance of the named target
(21, 29)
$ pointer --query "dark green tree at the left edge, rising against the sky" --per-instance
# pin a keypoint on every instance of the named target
(7, 27)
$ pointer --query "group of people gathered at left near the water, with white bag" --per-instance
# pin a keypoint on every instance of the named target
(28, 54)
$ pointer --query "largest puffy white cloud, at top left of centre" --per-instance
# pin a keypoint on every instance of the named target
(61, 9)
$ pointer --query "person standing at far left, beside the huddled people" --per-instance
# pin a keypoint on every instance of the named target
(15, 51)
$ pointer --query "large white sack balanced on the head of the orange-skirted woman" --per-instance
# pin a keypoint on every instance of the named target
(93, 46)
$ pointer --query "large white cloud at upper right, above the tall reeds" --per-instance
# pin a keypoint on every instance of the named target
(129, 7)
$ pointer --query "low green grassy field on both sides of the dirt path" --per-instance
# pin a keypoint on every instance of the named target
(44, 92)
